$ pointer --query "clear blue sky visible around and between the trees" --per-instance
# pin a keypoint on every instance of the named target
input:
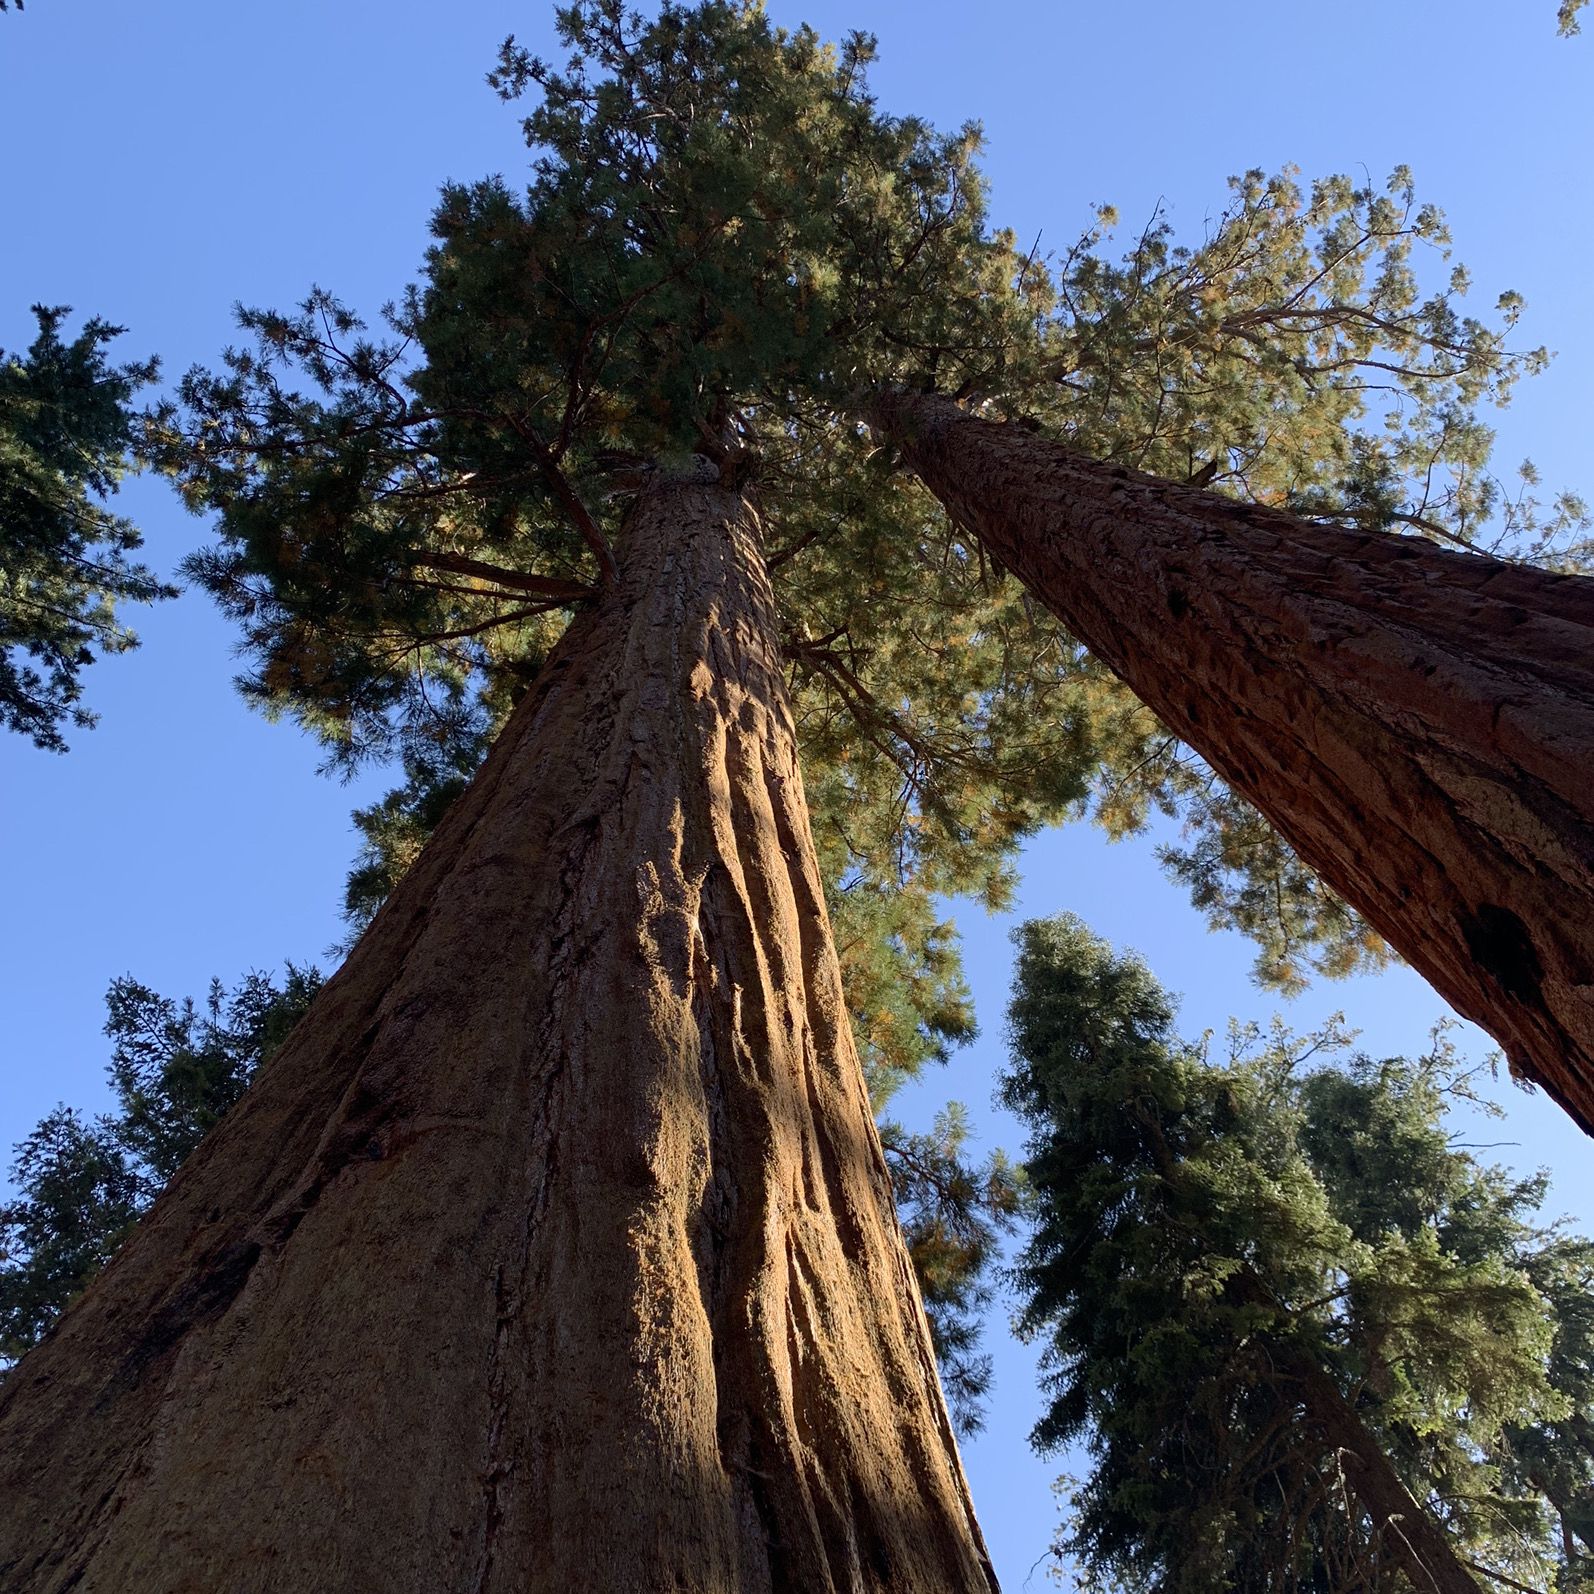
(165, 159)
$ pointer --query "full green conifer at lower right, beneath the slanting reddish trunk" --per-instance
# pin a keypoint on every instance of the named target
(1311, 1343)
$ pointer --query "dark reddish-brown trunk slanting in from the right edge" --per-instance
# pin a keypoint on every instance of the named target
(1418, 723)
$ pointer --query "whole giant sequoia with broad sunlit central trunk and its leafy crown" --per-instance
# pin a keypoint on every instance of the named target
(556, 1247)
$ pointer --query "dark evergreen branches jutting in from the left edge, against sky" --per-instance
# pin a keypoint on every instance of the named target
(66, 430)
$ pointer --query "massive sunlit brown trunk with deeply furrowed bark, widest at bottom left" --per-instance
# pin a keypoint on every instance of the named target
(556, 1250)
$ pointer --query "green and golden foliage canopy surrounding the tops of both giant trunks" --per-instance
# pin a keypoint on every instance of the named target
(724, 246)
